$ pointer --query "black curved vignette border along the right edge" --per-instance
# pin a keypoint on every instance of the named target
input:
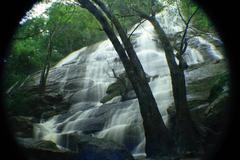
(224, 14)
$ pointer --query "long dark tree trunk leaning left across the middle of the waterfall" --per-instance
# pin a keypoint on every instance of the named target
(158, 140)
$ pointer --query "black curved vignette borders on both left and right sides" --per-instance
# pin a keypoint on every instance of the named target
(222, 13)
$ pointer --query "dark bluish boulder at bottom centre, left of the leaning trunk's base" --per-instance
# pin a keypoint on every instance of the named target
(91, 148)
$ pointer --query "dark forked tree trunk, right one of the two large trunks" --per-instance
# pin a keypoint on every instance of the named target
(187, 136)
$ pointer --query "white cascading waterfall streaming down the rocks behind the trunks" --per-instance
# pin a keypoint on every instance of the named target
(84, 76)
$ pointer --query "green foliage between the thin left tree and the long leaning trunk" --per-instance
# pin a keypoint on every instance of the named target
(78, 27)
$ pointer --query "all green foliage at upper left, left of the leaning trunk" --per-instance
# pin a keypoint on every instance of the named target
(72, 28)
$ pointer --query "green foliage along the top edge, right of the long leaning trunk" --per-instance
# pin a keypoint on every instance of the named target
(125, 10)
